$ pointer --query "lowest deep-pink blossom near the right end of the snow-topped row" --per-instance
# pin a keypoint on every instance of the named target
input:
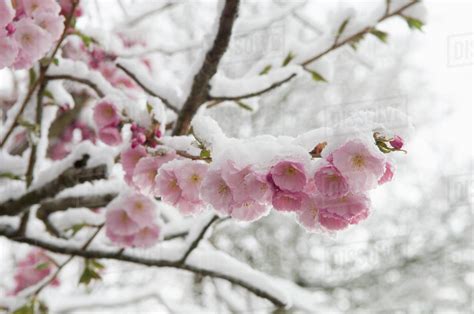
(338, 213)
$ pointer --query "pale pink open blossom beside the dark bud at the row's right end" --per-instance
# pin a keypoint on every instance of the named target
(361, 166)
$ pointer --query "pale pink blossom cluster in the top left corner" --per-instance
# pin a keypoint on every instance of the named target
(28, 31)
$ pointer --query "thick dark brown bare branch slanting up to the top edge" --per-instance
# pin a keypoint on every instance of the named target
(200, 86)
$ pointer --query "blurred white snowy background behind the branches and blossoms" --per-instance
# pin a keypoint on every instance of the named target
(415, 252)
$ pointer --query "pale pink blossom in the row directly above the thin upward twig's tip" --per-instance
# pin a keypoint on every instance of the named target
(217, 192)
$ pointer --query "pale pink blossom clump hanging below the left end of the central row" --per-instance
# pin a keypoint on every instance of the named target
(131, 221)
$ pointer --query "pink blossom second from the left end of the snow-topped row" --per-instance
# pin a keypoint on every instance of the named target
(146, 170)
